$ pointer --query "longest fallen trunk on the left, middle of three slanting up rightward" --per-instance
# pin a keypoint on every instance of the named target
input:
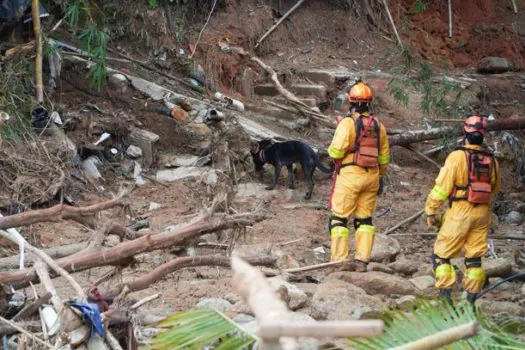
(100, 257)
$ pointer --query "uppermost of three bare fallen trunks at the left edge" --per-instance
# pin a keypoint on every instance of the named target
(57, 213)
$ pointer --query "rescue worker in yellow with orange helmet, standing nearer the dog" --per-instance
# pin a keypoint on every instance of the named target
(361, 152)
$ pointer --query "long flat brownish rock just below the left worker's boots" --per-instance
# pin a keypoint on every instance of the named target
(376, 282)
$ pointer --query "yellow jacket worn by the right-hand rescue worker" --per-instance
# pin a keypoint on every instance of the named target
(455, 173)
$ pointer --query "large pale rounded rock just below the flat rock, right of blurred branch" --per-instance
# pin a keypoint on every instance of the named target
(338, 300)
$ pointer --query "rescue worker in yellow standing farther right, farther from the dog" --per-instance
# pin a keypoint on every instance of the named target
(468, 180)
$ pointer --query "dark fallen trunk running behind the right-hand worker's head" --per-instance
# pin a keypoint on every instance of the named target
(409, 137)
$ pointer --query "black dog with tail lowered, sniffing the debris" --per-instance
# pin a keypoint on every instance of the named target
(286, 154)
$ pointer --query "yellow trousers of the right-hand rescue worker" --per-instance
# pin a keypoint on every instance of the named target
(465, 226)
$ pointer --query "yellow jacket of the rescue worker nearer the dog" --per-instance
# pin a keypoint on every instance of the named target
(345, 137)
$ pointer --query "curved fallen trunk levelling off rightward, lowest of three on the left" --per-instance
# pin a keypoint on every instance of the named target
(163, 270)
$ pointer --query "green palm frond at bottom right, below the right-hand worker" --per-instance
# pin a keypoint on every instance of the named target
(430, 317)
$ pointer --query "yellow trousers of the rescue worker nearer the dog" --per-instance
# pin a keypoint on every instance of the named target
(354, 192)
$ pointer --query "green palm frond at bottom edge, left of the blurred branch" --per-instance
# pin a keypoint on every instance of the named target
(198, 329)
